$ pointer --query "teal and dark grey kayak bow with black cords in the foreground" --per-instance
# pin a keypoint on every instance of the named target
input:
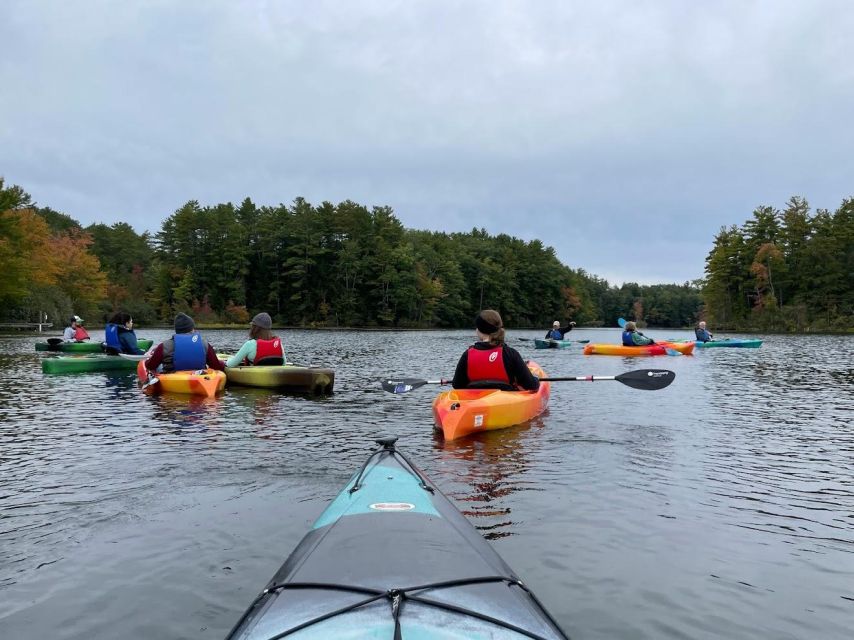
(391, 557)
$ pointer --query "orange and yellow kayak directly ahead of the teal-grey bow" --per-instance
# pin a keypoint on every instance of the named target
(460, 412)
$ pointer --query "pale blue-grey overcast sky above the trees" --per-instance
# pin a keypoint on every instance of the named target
(624, 134)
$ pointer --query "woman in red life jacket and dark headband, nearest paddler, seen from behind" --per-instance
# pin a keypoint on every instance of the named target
(491, 364)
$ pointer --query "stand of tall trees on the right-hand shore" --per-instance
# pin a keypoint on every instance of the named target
(786, 270)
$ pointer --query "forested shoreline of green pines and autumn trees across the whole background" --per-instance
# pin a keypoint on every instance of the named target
(348, 265)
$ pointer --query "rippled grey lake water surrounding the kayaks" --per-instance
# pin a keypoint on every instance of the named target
(720, 507)
